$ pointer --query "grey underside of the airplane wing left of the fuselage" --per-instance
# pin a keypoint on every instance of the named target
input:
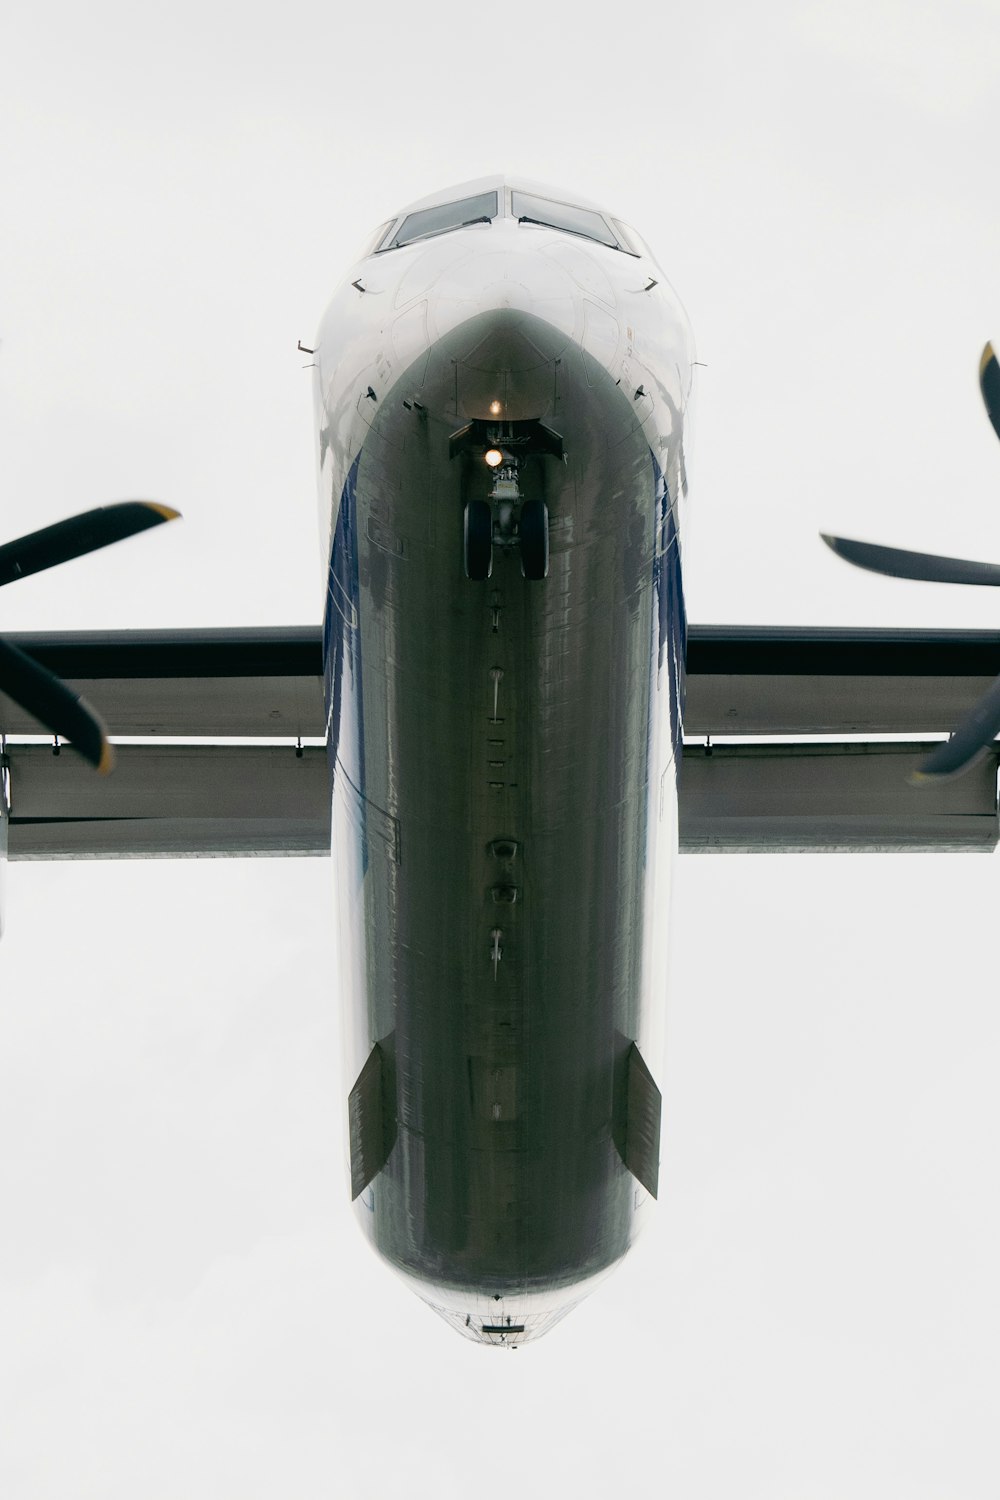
(209, 730)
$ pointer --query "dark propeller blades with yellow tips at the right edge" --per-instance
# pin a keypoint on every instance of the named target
(981, 725)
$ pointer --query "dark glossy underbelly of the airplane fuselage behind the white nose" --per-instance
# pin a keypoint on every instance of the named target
(504, 812)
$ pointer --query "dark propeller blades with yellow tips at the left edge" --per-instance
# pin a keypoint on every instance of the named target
(38, 691)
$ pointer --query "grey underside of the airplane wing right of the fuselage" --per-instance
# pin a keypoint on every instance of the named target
(756, 784)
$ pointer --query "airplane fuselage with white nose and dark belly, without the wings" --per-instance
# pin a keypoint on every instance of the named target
(504, 664)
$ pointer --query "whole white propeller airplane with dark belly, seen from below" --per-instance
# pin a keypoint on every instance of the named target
(504, 728)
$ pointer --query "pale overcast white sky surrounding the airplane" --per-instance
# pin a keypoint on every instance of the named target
(185, 1303)
